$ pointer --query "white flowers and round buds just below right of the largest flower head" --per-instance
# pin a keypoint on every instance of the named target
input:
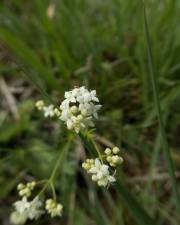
(100, 171)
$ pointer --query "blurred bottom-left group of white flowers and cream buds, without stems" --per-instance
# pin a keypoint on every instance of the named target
(25, 209)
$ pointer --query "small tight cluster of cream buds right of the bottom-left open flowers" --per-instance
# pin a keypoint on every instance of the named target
(53, 208)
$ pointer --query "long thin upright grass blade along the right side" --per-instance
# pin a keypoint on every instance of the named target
(154, 82)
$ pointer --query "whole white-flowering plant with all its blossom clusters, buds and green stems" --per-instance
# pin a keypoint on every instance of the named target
(78, 111)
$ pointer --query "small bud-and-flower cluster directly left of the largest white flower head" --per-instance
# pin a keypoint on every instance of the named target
(49, 111)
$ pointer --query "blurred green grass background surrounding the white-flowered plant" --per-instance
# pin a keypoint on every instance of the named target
(102, 45)
